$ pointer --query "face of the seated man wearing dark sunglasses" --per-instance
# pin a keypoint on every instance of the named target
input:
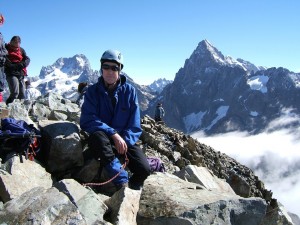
(110, 72)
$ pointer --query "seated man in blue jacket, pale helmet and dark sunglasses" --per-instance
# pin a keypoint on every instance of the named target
(110, 114)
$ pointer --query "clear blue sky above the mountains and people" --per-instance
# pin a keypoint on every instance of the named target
(155, 37)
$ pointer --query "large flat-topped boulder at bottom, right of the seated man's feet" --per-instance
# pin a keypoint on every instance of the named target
(165, 198)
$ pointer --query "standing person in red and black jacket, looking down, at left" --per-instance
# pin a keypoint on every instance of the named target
(15, 69)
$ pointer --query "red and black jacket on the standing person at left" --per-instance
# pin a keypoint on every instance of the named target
(14, 65)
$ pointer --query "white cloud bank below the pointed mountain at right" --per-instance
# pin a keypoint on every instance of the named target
(274, 158)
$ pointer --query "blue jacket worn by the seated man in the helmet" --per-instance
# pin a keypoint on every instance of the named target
(98, 114)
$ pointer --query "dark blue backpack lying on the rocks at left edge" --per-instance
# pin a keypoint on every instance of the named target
(18, 137)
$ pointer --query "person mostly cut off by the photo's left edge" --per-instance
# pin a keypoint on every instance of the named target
(3, 53)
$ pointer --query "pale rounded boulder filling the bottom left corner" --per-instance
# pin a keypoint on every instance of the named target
(41, 206)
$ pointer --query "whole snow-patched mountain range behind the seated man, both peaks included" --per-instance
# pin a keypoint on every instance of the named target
(211, 93)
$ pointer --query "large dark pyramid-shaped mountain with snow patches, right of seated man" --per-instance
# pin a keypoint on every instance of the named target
(218, 94)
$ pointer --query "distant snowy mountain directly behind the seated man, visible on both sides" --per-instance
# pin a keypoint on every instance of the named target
(65, 74)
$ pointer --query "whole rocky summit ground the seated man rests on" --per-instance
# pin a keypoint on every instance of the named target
(63, 184)
